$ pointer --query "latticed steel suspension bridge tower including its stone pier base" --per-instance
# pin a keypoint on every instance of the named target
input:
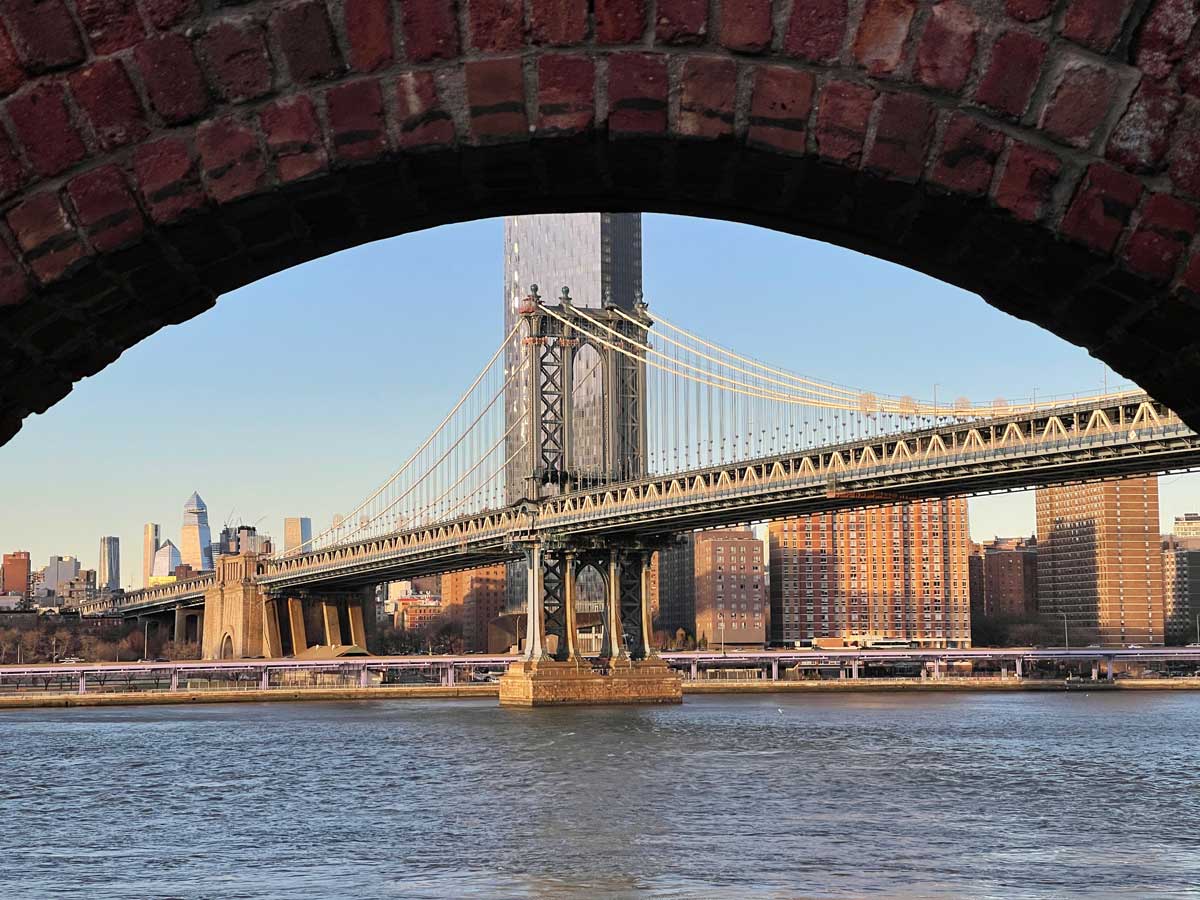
(585, 401)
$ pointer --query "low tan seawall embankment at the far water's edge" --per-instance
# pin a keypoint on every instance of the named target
(35, 700)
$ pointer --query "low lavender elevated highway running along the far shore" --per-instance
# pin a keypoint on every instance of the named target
(451, 669)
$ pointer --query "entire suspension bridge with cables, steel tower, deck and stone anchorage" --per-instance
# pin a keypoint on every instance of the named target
(692, 435)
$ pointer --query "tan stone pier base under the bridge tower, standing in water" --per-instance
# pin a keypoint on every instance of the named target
(543, 683)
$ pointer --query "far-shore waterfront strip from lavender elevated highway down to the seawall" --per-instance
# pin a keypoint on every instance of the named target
(1010, 670)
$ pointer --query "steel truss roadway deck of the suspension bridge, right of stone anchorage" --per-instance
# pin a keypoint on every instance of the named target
(1124, 436)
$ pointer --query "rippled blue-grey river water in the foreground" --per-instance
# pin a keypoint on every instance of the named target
(824, 796)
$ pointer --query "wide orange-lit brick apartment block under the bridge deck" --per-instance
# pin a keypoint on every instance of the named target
(897, 572)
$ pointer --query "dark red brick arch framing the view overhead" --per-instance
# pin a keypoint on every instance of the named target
(154, 154)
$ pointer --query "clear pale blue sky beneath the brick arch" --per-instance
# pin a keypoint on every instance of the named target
(297, 395)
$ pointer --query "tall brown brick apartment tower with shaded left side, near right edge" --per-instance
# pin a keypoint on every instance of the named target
(1100, 560)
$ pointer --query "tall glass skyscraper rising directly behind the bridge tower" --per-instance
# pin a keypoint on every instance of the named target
(599, 257)
